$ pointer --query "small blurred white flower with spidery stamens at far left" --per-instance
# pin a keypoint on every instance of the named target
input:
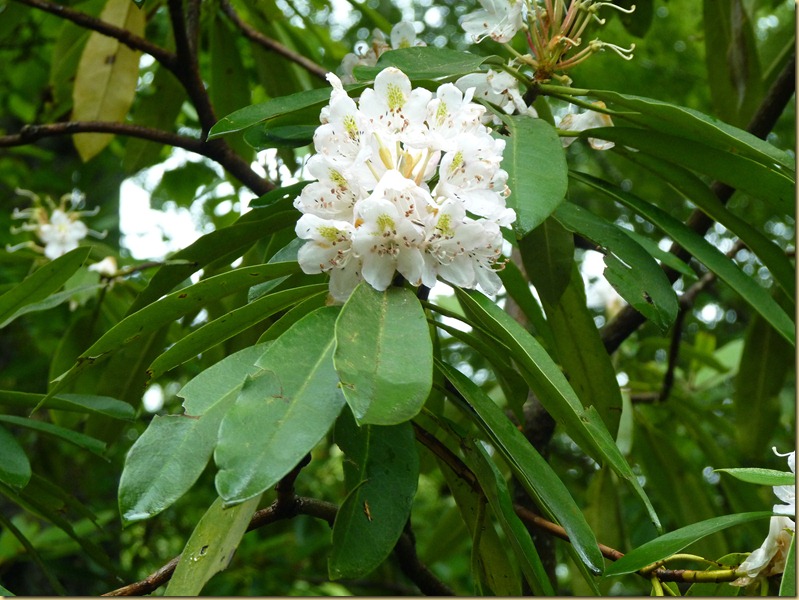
(59, 229)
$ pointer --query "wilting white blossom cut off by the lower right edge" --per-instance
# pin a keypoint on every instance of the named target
(769, 559)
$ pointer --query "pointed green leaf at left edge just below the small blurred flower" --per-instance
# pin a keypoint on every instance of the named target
(40, 284)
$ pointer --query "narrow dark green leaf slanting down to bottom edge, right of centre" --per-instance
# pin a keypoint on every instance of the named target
(517, 535)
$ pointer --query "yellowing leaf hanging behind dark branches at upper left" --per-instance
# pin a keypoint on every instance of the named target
(105, 83)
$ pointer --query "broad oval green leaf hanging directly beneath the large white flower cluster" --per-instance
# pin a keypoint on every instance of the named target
(384, 355)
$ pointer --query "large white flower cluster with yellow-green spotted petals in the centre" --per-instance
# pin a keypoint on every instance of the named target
(408, 181)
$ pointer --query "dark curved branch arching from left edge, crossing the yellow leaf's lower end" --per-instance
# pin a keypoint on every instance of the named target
(215, 150)
